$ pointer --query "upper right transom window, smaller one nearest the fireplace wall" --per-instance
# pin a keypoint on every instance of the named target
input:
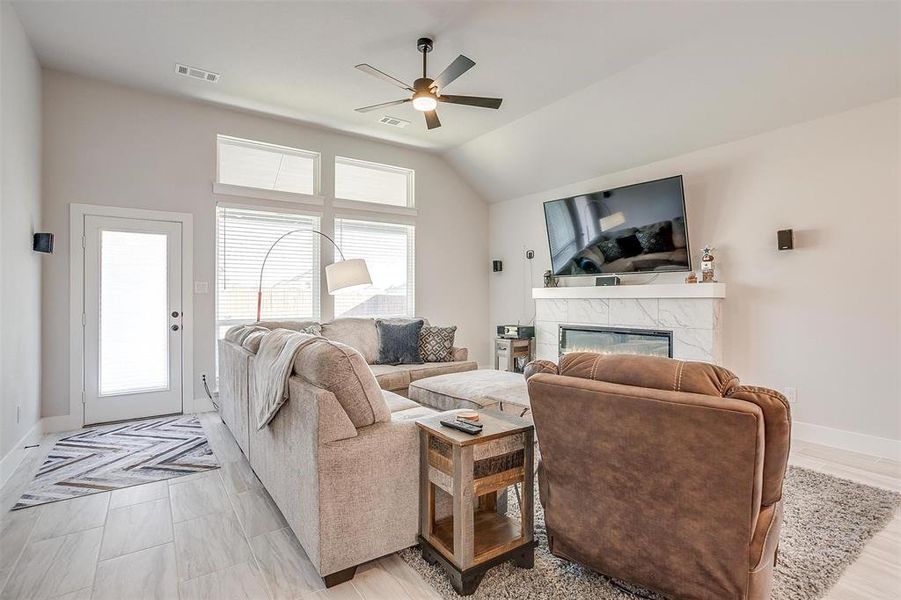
(371, 182)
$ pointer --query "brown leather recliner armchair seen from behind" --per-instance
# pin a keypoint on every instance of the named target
(663, 473)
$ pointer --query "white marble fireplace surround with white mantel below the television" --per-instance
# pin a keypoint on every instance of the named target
(691, 311)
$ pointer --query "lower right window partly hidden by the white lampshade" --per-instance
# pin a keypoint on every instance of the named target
(388, 250)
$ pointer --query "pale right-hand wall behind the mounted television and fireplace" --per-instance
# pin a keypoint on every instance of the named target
(823, 318)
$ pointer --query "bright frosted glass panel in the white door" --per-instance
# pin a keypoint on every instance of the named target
(134, 334)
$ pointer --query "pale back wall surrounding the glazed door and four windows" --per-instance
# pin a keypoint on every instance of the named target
(110, 145)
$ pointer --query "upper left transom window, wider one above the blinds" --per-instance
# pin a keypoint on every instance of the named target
(267, 166)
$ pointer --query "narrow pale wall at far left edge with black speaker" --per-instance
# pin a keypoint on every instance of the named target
(20, 217)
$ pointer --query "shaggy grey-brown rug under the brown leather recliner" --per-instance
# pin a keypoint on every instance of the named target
(827, 523)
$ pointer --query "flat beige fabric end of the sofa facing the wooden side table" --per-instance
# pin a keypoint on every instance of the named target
(368, 495)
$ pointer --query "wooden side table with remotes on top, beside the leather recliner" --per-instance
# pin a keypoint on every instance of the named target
(473, 469)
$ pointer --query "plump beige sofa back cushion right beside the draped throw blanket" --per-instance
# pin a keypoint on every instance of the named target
(343, 371)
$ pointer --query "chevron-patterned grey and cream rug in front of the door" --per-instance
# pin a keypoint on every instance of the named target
(121, 455)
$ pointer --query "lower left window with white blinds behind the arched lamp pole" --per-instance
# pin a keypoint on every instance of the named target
(291, 279)
